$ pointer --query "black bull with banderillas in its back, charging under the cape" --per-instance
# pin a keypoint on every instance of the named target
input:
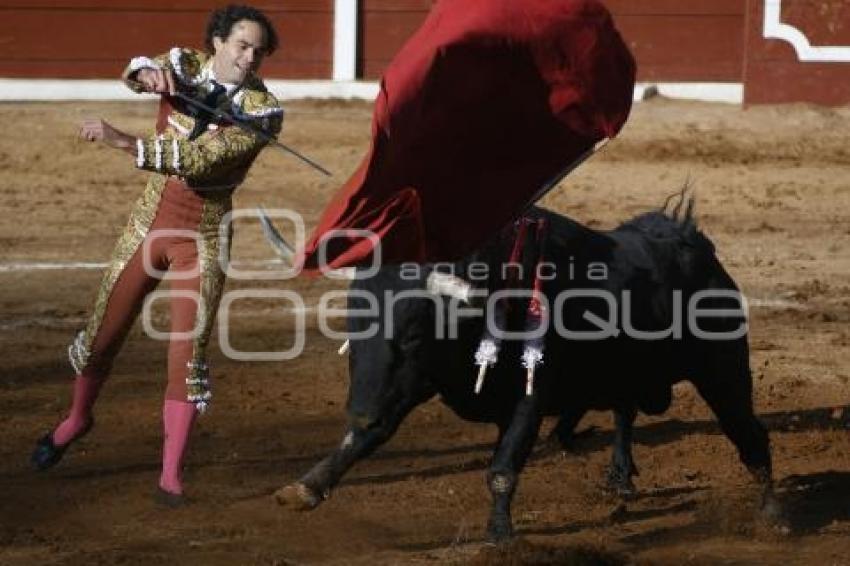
(648, 263)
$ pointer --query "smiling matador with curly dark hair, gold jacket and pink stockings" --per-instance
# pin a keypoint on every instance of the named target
(196, 162)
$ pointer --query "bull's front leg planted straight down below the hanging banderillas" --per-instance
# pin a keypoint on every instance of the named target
(511, 454)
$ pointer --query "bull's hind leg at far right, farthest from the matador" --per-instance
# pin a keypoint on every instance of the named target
(731, 402)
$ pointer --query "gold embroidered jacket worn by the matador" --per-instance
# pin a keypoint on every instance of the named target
(219, 157)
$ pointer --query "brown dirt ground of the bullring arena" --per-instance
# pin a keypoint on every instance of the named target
(773, 193)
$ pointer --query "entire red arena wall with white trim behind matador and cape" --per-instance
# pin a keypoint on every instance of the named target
(754, 50)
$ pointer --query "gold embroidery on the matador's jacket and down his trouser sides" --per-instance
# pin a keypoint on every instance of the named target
(219, 157)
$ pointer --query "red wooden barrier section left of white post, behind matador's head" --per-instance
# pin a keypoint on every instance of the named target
(92, 39)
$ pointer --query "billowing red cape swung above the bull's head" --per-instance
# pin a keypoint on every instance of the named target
(486, 103)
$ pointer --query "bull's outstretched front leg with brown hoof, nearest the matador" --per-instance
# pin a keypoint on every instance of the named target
(360, 441)
